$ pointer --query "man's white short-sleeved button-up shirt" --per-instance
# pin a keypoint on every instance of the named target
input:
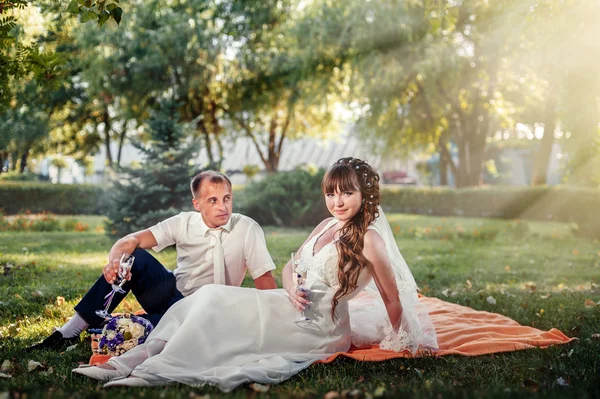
(244, 247)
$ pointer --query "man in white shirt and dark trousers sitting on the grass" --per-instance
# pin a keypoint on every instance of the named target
(213, 246)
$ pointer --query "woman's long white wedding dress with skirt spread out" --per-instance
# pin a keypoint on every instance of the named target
(226, 336)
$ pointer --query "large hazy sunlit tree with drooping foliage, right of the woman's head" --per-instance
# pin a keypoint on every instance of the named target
(433, 74)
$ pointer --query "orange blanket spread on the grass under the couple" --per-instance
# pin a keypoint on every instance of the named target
(460, 331)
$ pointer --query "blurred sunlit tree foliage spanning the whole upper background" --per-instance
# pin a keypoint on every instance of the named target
(452, 78)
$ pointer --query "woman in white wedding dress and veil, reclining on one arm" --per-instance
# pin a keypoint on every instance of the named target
(227, 336)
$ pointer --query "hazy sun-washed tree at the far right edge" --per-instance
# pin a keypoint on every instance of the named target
(572, 90)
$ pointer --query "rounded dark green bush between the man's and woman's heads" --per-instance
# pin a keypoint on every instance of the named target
(285, 199)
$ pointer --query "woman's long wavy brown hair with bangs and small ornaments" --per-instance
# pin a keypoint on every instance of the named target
(352, 174)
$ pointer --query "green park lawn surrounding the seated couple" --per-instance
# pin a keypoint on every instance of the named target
(538, 273)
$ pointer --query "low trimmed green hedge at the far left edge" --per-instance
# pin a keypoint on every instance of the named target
(60, 199)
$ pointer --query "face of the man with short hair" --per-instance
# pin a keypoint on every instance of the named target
(214, 201)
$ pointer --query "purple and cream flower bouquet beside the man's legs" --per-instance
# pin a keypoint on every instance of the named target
(123, 333)
